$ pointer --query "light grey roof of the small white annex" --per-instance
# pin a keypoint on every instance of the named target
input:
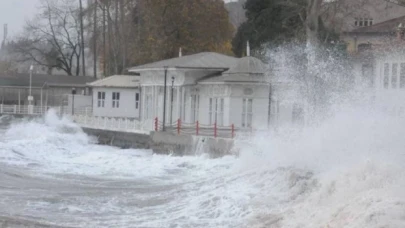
(117, 81)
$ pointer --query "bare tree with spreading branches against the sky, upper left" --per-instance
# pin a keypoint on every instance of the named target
(52, 39)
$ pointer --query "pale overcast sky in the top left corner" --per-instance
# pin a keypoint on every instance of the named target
(16, 12)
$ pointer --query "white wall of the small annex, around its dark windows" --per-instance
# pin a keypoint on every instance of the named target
(126, 103)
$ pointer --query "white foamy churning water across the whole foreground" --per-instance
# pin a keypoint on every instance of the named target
(346, 172)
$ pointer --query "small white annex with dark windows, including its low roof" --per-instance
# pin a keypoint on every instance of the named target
(116, 96)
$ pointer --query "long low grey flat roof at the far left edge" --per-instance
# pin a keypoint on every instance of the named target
(39, 80)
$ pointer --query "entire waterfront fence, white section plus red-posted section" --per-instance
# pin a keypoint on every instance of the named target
(84, 117)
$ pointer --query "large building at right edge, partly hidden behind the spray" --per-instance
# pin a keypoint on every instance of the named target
(377, 51)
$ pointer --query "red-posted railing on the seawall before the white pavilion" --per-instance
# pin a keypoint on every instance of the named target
(199, 129)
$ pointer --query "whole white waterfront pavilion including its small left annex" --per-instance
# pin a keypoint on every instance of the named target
(207, 87)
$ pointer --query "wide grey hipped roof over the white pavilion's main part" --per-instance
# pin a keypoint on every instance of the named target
(204, 60)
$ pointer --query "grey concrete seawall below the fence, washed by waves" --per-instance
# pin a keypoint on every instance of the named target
(164, 142)
